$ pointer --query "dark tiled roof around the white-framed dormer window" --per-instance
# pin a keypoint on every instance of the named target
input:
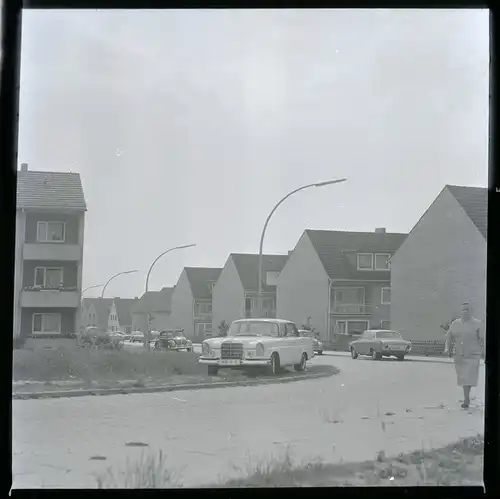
(335, 247)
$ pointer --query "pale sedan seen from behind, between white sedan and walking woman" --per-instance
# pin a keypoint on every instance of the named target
(378, 343)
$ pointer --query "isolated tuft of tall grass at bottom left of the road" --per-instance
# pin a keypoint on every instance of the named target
(149, 472)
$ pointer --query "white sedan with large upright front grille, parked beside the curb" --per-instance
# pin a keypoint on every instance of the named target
(271, 343)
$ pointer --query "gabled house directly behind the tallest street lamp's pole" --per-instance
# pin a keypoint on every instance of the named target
(235, 293)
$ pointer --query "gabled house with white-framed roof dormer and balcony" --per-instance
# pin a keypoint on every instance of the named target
(338, 282)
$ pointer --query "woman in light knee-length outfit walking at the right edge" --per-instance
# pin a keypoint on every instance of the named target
(467, 335)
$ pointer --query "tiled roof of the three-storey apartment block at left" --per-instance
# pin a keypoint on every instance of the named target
(53, 190)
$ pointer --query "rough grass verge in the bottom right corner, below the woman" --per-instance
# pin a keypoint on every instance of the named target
(454, 465)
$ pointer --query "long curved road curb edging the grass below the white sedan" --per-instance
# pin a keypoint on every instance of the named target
(169, 388)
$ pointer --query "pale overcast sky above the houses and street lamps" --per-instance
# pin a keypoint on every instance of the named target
(187, 126)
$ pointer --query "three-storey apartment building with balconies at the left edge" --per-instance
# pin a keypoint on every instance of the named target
(50, 222)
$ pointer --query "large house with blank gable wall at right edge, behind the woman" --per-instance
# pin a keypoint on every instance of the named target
(441, 263)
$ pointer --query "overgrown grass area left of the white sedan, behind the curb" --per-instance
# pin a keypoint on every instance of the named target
(76, 363)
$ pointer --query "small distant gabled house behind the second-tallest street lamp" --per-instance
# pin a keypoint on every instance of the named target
(159, 305)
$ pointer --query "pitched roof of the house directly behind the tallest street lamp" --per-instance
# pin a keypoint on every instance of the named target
(247, 265)
